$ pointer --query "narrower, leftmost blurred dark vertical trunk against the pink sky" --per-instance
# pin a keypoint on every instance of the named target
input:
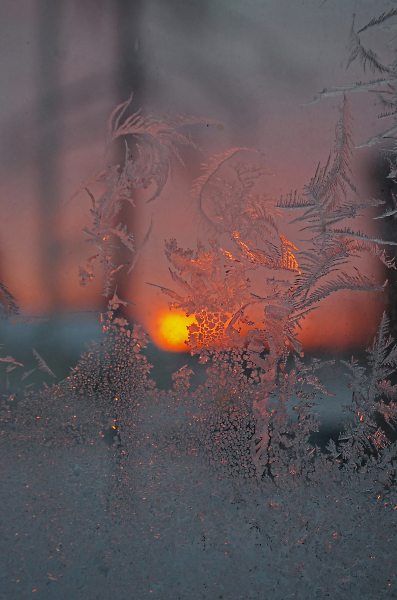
(48, 147)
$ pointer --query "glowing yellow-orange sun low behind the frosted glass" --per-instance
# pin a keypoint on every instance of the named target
(171, 331)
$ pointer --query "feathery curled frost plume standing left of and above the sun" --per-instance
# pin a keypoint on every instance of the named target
(148, 160)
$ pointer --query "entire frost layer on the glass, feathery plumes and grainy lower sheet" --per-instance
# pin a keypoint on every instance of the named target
(215, 490)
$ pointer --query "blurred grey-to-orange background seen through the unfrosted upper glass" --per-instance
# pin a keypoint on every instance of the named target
(253, 67)
